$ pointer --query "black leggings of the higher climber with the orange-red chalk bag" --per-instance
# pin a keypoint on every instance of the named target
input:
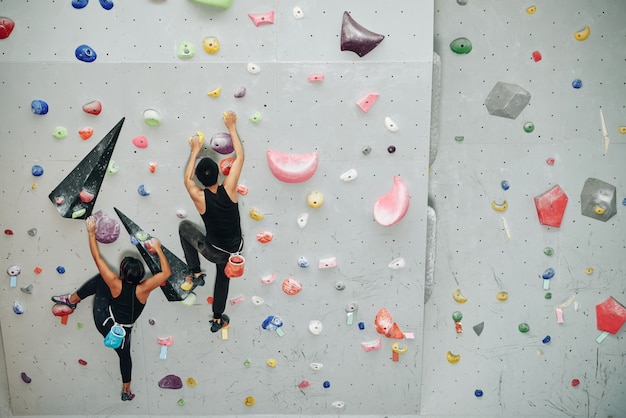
(193, 242)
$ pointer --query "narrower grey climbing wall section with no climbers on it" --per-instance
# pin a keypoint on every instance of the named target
(523, 287)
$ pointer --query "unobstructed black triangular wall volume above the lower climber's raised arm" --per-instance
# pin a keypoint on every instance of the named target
(87, 175)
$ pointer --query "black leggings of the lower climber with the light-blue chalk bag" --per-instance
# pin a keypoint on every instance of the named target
(102, 300)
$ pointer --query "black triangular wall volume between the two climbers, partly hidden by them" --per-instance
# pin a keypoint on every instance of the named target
(180, 270)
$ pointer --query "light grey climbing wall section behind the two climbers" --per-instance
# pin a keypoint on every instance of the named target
(333, 102)
